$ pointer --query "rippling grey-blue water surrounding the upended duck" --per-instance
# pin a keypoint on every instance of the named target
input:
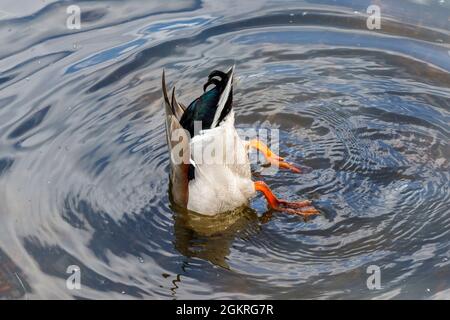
(84, 165)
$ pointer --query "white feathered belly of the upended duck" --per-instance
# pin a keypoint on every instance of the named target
(222, 177)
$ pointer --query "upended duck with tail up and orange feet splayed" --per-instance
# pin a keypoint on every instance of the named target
(221, 180)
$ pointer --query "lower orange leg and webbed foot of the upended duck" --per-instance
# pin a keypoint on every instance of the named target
(303, 208)
